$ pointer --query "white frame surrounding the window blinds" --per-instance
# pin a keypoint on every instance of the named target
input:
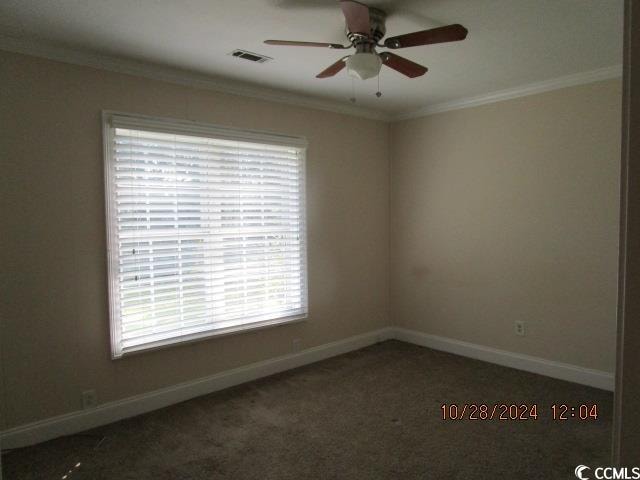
(112, 120)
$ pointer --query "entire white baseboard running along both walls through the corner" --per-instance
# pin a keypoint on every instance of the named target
(79, 421)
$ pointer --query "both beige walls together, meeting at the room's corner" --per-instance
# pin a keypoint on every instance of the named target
(500, 212)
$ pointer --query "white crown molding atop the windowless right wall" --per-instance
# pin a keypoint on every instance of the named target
(515, 92)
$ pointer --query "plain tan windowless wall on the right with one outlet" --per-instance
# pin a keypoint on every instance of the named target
(508, 212)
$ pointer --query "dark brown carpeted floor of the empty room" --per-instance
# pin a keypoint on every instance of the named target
(370, 414)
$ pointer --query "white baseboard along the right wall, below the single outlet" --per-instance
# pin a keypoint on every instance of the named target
(541, 366)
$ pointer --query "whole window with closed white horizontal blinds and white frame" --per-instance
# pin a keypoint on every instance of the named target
(206, 230)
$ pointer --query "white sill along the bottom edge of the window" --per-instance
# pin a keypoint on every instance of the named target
(219, 332)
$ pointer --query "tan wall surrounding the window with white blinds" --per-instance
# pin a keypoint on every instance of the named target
(55, 335)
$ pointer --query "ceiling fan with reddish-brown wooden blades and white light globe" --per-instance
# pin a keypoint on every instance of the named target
(365, 27)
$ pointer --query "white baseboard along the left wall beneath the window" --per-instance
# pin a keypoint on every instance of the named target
(79, 421)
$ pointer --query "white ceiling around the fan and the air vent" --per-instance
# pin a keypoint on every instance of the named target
(510, 42)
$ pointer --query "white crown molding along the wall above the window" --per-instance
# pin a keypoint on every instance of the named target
(178, 76)
